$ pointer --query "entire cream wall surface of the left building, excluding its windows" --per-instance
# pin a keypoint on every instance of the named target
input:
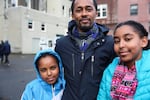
(15, 27)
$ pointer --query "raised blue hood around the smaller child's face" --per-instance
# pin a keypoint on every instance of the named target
(61, 82)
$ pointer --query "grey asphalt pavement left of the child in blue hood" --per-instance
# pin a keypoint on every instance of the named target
(14, 77)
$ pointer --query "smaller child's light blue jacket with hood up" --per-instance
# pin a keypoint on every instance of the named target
(39, 89)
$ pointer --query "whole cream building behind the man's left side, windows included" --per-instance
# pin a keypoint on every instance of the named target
(29, 25)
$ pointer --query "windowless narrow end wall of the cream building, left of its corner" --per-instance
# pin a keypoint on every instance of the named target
(13, 27)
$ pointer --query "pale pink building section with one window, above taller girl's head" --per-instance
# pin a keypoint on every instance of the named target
(138, 10)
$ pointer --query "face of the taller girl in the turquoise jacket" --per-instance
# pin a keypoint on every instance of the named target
(128, 44)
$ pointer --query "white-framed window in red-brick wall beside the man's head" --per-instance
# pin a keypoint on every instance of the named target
(102, 11)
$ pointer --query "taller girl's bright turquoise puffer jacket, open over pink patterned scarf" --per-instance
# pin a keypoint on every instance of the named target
(143, 77)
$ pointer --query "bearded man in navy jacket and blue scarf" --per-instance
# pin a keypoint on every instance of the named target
(85, 51)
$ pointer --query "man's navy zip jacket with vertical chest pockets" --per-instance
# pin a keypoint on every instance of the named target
(83, 70)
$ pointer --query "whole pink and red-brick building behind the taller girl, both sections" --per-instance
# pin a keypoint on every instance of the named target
(113, 12)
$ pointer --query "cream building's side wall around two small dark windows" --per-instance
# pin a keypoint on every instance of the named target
(54, 25)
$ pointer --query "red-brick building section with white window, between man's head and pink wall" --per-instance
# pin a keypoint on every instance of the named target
(107, 13)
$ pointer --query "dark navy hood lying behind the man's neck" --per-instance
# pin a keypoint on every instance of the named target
(101, 27)
